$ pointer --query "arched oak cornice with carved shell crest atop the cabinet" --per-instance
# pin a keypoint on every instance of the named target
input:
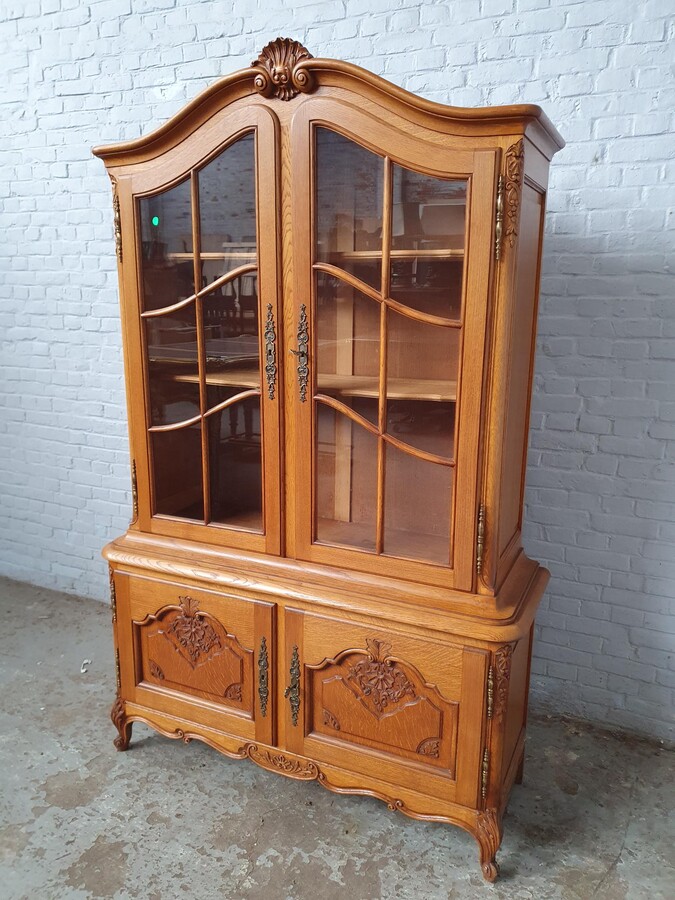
(285, 70)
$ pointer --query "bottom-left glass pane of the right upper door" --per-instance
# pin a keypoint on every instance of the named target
(346, 481)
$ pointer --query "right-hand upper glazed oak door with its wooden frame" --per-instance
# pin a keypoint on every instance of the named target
(394, 350)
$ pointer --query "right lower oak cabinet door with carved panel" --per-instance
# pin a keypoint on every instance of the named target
(384, 703)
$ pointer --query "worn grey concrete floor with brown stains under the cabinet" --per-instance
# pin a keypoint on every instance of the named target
(168, 820)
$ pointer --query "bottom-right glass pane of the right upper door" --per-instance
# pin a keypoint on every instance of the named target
(417, 507)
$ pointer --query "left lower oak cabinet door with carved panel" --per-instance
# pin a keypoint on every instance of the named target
(197, 654)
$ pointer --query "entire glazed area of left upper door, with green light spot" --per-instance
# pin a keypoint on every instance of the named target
(220, 452)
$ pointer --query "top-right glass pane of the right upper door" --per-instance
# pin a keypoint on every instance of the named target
(427, 244)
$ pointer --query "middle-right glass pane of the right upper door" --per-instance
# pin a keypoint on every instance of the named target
(422, 369)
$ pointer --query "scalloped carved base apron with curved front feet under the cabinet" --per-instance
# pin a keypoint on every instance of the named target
(484, 825)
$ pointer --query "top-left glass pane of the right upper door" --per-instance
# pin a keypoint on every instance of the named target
(349, 182)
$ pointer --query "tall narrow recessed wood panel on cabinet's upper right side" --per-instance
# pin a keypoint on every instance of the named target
(522, 354)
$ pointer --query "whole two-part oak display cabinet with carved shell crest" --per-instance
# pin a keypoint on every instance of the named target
(329, 293)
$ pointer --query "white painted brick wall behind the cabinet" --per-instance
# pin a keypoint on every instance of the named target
(601, 491)
